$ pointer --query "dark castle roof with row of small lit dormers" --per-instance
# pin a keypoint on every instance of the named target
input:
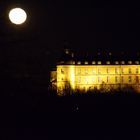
(98, 58)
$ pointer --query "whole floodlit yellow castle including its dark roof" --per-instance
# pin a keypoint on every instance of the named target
(96, 73)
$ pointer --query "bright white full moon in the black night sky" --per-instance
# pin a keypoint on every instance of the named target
(17, 16)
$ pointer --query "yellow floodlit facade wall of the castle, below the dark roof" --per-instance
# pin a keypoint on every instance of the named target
(91, 76)
